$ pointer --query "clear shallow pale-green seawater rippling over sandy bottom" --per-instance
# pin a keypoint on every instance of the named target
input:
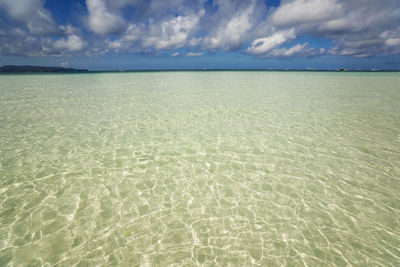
(200, 168)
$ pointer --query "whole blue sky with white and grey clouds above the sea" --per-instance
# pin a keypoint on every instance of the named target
(197, 34)
